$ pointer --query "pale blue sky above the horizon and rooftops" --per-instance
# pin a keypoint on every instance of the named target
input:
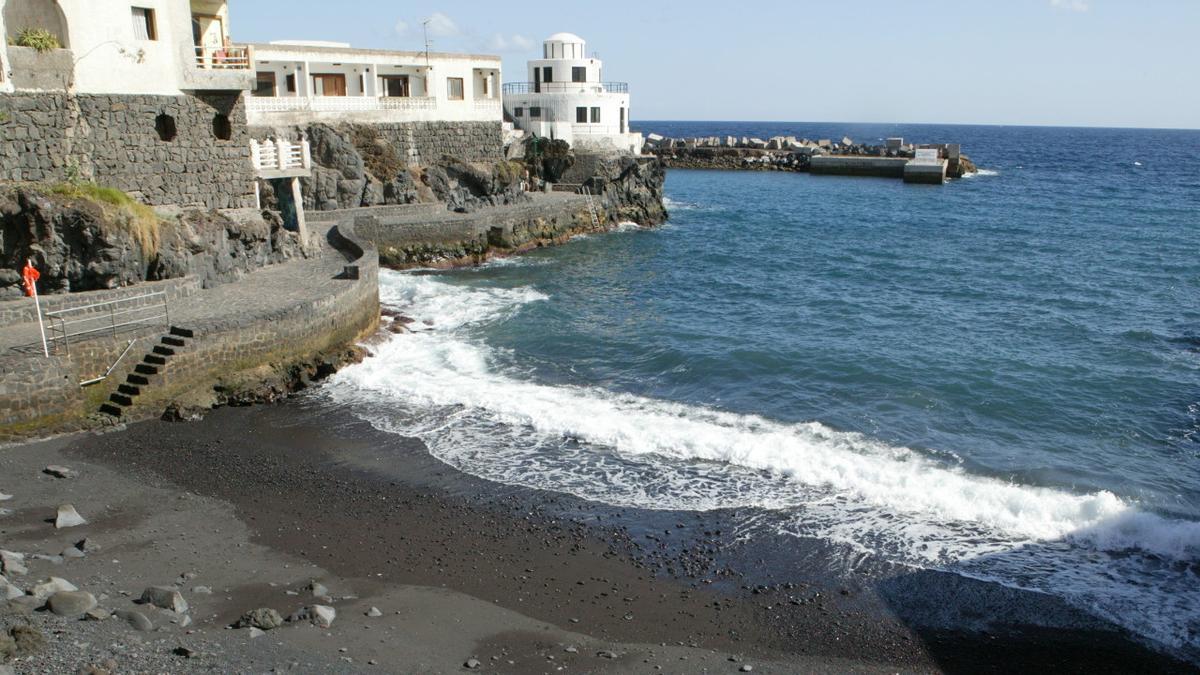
(1063, 63)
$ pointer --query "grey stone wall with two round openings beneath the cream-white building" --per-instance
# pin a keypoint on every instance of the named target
(160, 150)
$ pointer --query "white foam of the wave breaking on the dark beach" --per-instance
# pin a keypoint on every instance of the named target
(448, 389)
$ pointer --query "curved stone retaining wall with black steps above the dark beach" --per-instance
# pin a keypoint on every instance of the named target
(40, 396)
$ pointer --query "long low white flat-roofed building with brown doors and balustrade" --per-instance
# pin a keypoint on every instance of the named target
(305, 82)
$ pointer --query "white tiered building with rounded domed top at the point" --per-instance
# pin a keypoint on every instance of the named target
(566, 98)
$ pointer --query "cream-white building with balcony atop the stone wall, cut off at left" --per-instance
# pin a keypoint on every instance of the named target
(141, 47)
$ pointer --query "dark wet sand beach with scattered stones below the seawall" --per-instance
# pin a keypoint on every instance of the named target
(263, 500)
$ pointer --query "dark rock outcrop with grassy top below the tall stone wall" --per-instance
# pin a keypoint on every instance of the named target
(80, 243)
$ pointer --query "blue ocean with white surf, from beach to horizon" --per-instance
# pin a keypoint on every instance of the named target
(998, 378)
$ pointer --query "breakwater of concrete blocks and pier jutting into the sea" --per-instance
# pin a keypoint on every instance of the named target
(893, 159)
